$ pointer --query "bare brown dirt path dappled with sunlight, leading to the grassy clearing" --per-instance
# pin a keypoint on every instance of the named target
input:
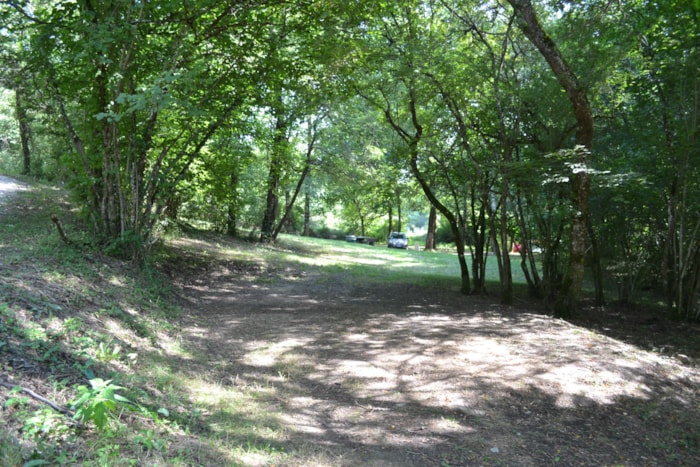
(399, 376)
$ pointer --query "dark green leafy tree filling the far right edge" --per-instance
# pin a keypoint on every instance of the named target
(661, 119)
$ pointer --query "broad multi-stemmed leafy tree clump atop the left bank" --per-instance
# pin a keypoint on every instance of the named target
(161, 80)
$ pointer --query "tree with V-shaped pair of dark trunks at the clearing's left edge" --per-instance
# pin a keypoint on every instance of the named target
(297, 51)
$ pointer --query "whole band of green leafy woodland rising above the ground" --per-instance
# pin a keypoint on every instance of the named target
(570, 128)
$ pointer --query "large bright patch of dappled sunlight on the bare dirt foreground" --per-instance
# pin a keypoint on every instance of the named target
(393, 359)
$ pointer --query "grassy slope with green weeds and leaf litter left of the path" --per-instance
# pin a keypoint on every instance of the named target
(68, 314)
